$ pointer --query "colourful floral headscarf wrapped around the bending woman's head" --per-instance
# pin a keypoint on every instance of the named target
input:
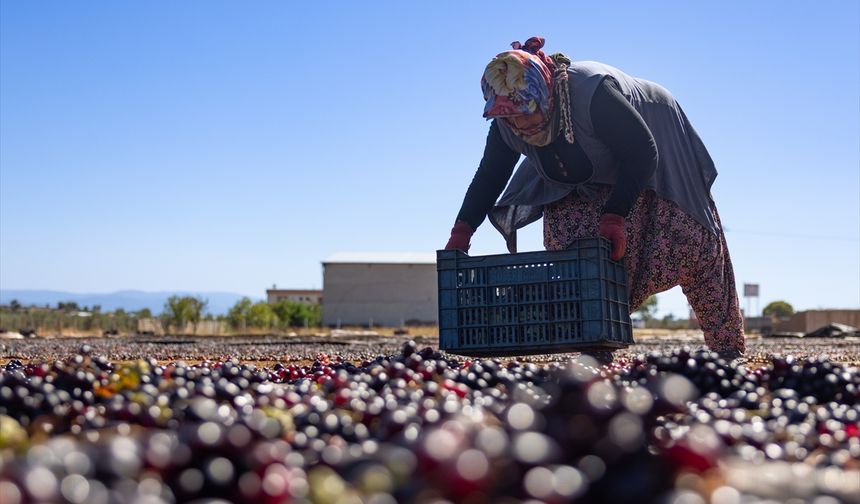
(521, 81)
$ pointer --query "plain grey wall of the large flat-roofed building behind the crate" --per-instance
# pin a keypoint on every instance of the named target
(387, 294)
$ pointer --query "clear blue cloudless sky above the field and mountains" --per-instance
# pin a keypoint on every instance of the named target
(227, 146)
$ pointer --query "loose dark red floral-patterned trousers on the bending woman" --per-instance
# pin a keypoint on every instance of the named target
(665, 248)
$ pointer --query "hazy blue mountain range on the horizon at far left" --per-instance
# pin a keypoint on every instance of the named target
(129, 300)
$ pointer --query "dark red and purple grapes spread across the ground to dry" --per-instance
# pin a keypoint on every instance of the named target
(369, 419)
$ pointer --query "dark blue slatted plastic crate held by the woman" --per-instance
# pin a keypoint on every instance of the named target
(533, 302)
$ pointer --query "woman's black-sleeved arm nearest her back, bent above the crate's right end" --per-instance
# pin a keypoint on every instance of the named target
(620, 127)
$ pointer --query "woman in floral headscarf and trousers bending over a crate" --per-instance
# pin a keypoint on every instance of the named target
(607, 154)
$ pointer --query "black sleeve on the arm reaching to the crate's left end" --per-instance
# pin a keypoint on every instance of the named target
(490, 179)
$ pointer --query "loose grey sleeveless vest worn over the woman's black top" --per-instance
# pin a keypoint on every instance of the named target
(685, 170)
